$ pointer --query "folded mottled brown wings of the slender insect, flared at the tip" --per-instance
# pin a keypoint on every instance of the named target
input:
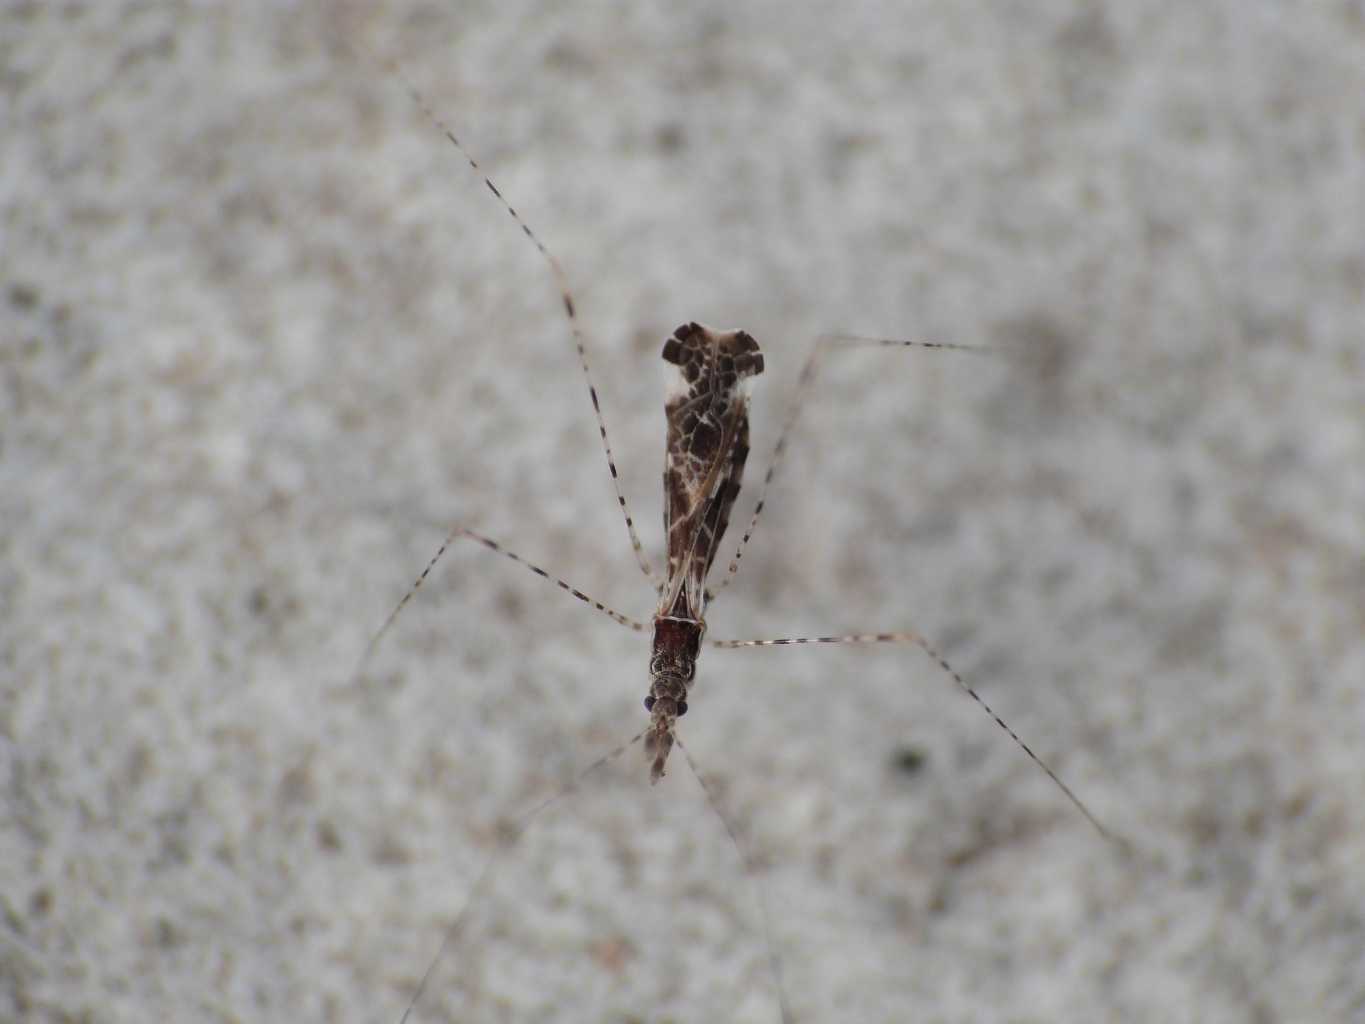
(708, 444)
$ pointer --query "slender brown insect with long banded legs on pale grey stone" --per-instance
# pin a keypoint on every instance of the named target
(708, 446)
